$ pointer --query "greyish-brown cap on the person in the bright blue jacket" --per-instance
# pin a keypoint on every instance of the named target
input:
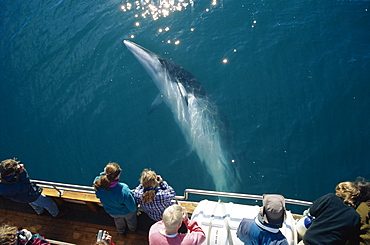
(273, 209)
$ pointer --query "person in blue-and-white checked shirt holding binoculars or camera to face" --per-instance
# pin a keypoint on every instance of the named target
(153, 194)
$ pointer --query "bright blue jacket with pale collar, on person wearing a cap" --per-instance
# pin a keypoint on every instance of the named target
(251, 233)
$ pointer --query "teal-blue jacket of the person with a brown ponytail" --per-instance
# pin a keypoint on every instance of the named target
(117, 200)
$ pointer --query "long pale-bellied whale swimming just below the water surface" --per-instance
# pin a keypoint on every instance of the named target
(197, 117)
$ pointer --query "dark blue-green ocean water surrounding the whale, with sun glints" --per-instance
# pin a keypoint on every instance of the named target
(294, 92)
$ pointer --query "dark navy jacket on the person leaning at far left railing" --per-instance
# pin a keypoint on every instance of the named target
(19, 190)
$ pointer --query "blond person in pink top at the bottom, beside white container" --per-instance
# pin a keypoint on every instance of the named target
(166, 231)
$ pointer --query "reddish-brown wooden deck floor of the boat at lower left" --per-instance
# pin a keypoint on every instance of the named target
(79, 226)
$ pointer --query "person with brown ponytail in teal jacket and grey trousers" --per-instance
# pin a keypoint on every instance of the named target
(116, 198)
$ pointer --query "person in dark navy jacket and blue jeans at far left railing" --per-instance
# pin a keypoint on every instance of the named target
(16, 185)
